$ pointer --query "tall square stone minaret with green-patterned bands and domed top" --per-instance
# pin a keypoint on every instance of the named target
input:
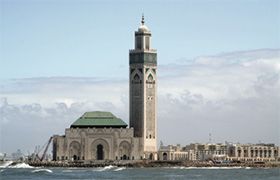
(143, 91)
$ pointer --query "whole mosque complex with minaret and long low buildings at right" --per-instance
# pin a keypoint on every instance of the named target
(102, 136)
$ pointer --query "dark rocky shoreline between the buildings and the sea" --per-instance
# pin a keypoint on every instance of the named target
(148, 164)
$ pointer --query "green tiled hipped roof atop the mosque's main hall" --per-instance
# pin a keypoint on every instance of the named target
(99, 119)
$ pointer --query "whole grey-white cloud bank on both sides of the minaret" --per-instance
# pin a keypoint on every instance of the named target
(234, 96)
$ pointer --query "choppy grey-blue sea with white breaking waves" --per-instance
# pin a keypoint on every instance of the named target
(24, 171)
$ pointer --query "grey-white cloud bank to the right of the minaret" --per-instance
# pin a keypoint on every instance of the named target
(236, 98)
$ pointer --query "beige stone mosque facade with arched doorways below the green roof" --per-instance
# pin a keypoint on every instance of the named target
(97, 144)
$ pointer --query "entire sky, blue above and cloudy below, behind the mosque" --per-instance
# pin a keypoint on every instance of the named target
(218, 67)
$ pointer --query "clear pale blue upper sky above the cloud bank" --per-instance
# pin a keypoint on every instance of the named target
(69, 38)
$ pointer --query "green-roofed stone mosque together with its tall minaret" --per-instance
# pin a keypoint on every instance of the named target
(101, 135)
